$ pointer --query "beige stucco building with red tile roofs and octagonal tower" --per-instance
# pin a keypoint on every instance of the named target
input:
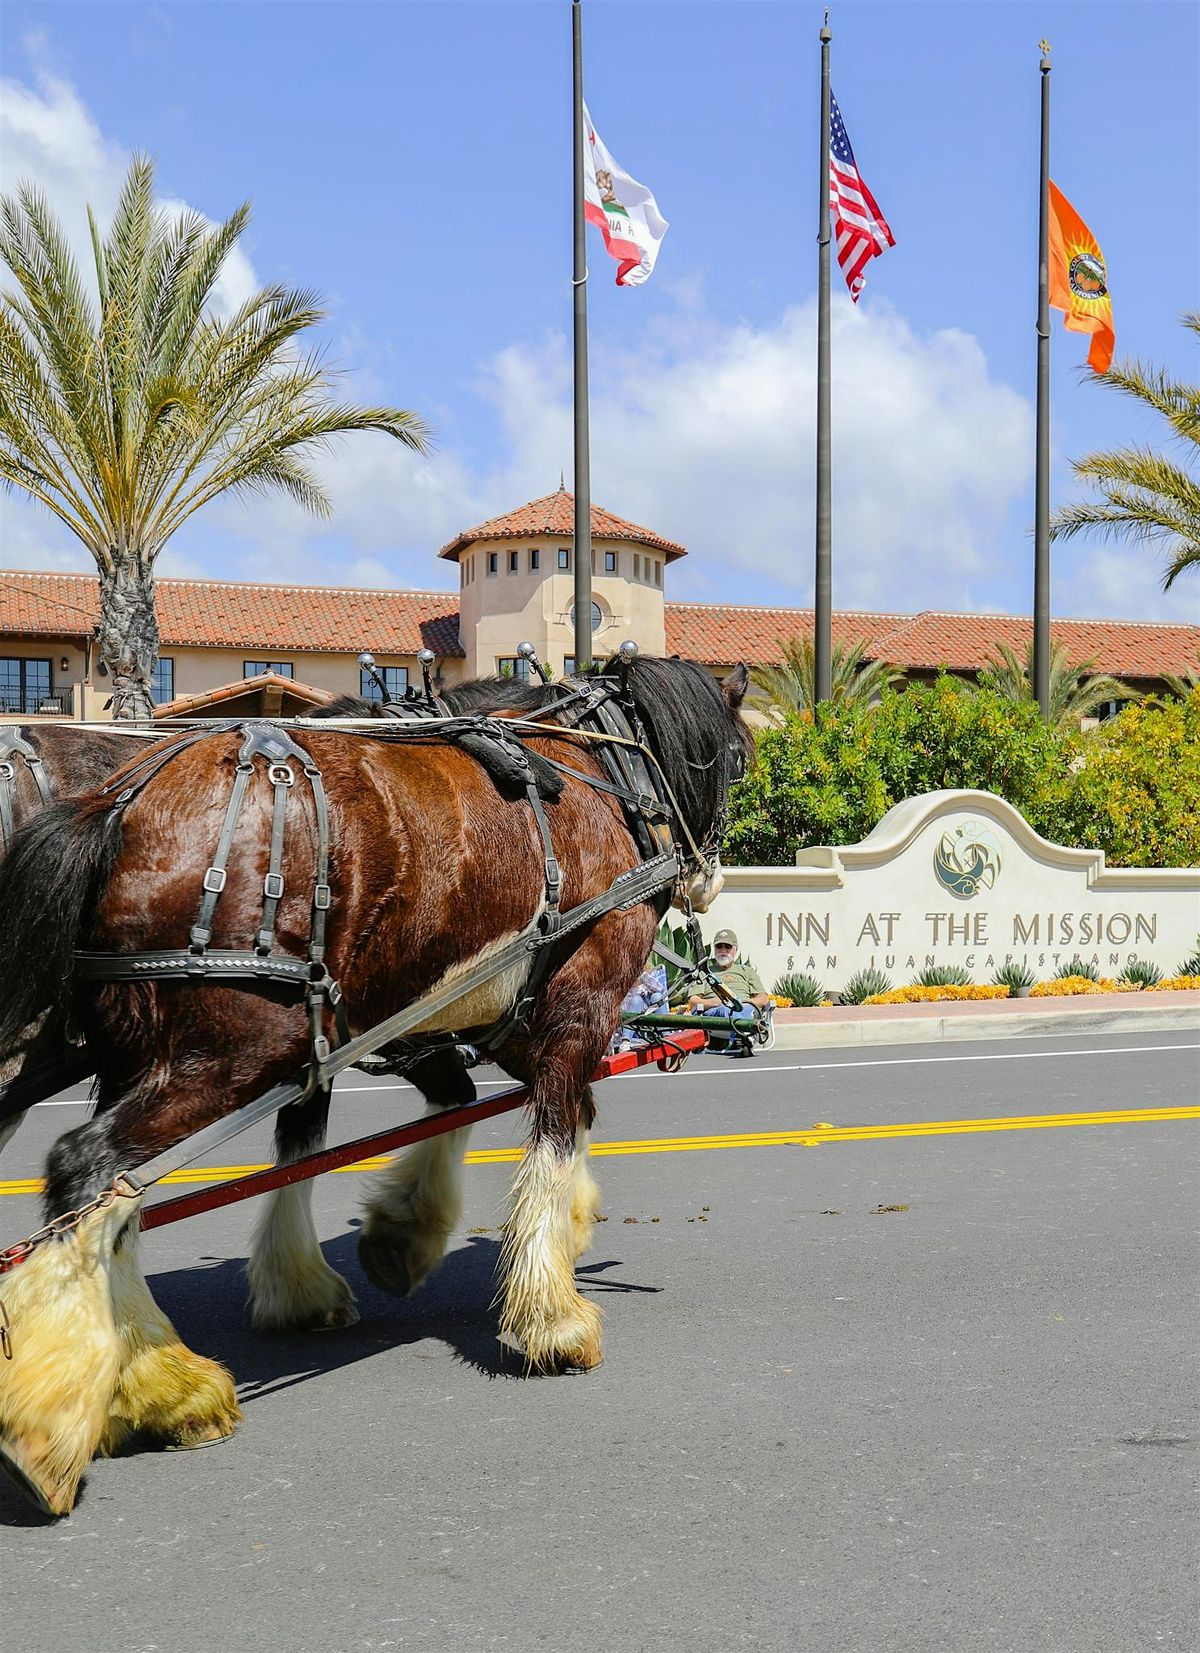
(515, 583)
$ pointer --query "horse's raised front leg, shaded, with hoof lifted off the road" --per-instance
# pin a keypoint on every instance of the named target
(417, 1201)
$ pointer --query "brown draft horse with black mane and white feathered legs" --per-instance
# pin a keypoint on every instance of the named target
(432, 870)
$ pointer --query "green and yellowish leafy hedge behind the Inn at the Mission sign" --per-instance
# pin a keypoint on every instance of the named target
(1131, 788)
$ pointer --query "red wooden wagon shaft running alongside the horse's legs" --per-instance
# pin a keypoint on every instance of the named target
(667, 1055)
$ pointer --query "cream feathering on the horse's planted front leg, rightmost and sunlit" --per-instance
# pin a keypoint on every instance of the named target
(543, 1315)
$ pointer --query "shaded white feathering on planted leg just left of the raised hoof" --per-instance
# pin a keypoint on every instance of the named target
(292, 1287)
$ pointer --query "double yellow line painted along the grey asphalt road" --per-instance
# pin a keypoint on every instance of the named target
(807, 1136)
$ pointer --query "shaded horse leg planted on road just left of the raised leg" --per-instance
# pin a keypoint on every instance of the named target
(292, 1287)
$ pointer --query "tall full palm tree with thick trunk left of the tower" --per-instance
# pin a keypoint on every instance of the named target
(128, 409)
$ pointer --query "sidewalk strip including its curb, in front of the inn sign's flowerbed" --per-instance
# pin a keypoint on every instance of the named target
(988, 1019)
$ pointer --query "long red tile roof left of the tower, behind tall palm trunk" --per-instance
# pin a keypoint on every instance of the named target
(231, 614)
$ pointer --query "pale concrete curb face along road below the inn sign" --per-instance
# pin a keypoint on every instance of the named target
(926, 1029)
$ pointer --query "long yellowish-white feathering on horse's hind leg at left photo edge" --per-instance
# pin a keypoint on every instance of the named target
(57, 1388)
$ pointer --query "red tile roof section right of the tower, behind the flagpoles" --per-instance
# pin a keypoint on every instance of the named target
(720, 636)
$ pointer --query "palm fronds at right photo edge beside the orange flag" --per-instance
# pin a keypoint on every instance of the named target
(1146, 497)
